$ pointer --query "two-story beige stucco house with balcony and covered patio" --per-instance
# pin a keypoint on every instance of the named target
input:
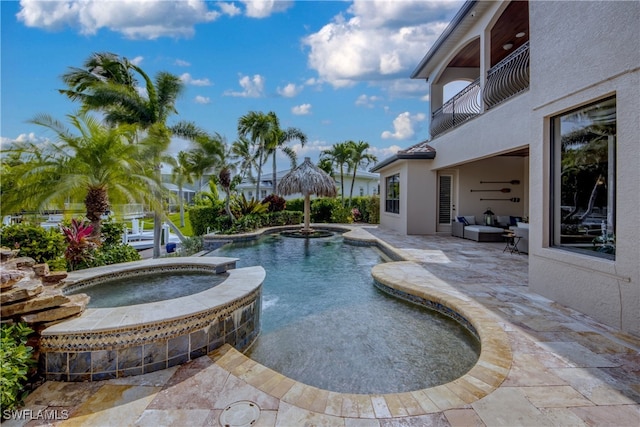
(548, 128)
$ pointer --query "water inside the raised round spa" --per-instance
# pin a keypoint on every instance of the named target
(146, 288)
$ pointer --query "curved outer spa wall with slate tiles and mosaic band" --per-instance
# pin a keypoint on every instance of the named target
(150, 348)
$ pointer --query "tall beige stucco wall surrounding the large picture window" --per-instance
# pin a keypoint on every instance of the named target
(596, 39)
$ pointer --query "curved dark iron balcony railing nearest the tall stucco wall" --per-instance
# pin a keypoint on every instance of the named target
(508, 77)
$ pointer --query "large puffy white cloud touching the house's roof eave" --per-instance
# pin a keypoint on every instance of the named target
(376, 39)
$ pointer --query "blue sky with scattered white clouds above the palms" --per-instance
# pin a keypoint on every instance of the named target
(337, 70)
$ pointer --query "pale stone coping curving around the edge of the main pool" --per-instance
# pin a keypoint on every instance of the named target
(412, 280)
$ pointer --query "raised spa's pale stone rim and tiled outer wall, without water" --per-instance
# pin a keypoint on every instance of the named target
(114, 342)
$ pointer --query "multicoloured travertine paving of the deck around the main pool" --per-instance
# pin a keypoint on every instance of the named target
(565, 368)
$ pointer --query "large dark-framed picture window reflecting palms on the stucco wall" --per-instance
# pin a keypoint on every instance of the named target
(584, 179)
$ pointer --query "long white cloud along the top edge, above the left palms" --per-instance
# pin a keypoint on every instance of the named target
(134, 19)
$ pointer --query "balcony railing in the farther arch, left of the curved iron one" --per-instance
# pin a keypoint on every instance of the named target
(457, 110)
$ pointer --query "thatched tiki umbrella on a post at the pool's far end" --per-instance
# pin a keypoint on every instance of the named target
(307, 179)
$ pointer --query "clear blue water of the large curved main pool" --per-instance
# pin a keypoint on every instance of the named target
(325, 324)
